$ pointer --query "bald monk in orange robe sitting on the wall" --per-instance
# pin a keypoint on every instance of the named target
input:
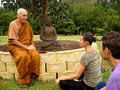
(21, 47)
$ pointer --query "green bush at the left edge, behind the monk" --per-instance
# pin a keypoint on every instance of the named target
(5, 19)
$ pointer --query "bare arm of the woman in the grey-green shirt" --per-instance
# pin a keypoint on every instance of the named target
(78, 73)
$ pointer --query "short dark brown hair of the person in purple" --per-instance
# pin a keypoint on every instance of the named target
(111, 40)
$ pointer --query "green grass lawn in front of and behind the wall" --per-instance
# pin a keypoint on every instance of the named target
(48, 85)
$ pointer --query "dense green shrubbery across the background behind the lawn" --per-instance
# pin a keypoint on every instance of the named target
(73, 18)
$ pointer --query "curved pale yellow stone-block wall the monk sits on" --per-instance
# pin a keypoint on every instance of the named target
(53, 64)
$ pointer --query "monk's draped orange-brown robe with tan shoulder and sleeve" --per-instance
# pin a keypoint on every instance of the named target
(27, 61)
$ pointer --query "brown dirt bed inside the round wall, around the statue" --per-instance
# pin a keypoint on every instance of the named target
(63, 45)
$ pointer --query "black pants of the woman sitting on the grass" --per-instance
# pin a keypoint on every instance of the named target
(74, 85)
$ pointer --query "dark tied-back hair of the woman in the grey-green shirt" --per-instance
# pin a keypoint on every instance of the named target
(89, 37)
